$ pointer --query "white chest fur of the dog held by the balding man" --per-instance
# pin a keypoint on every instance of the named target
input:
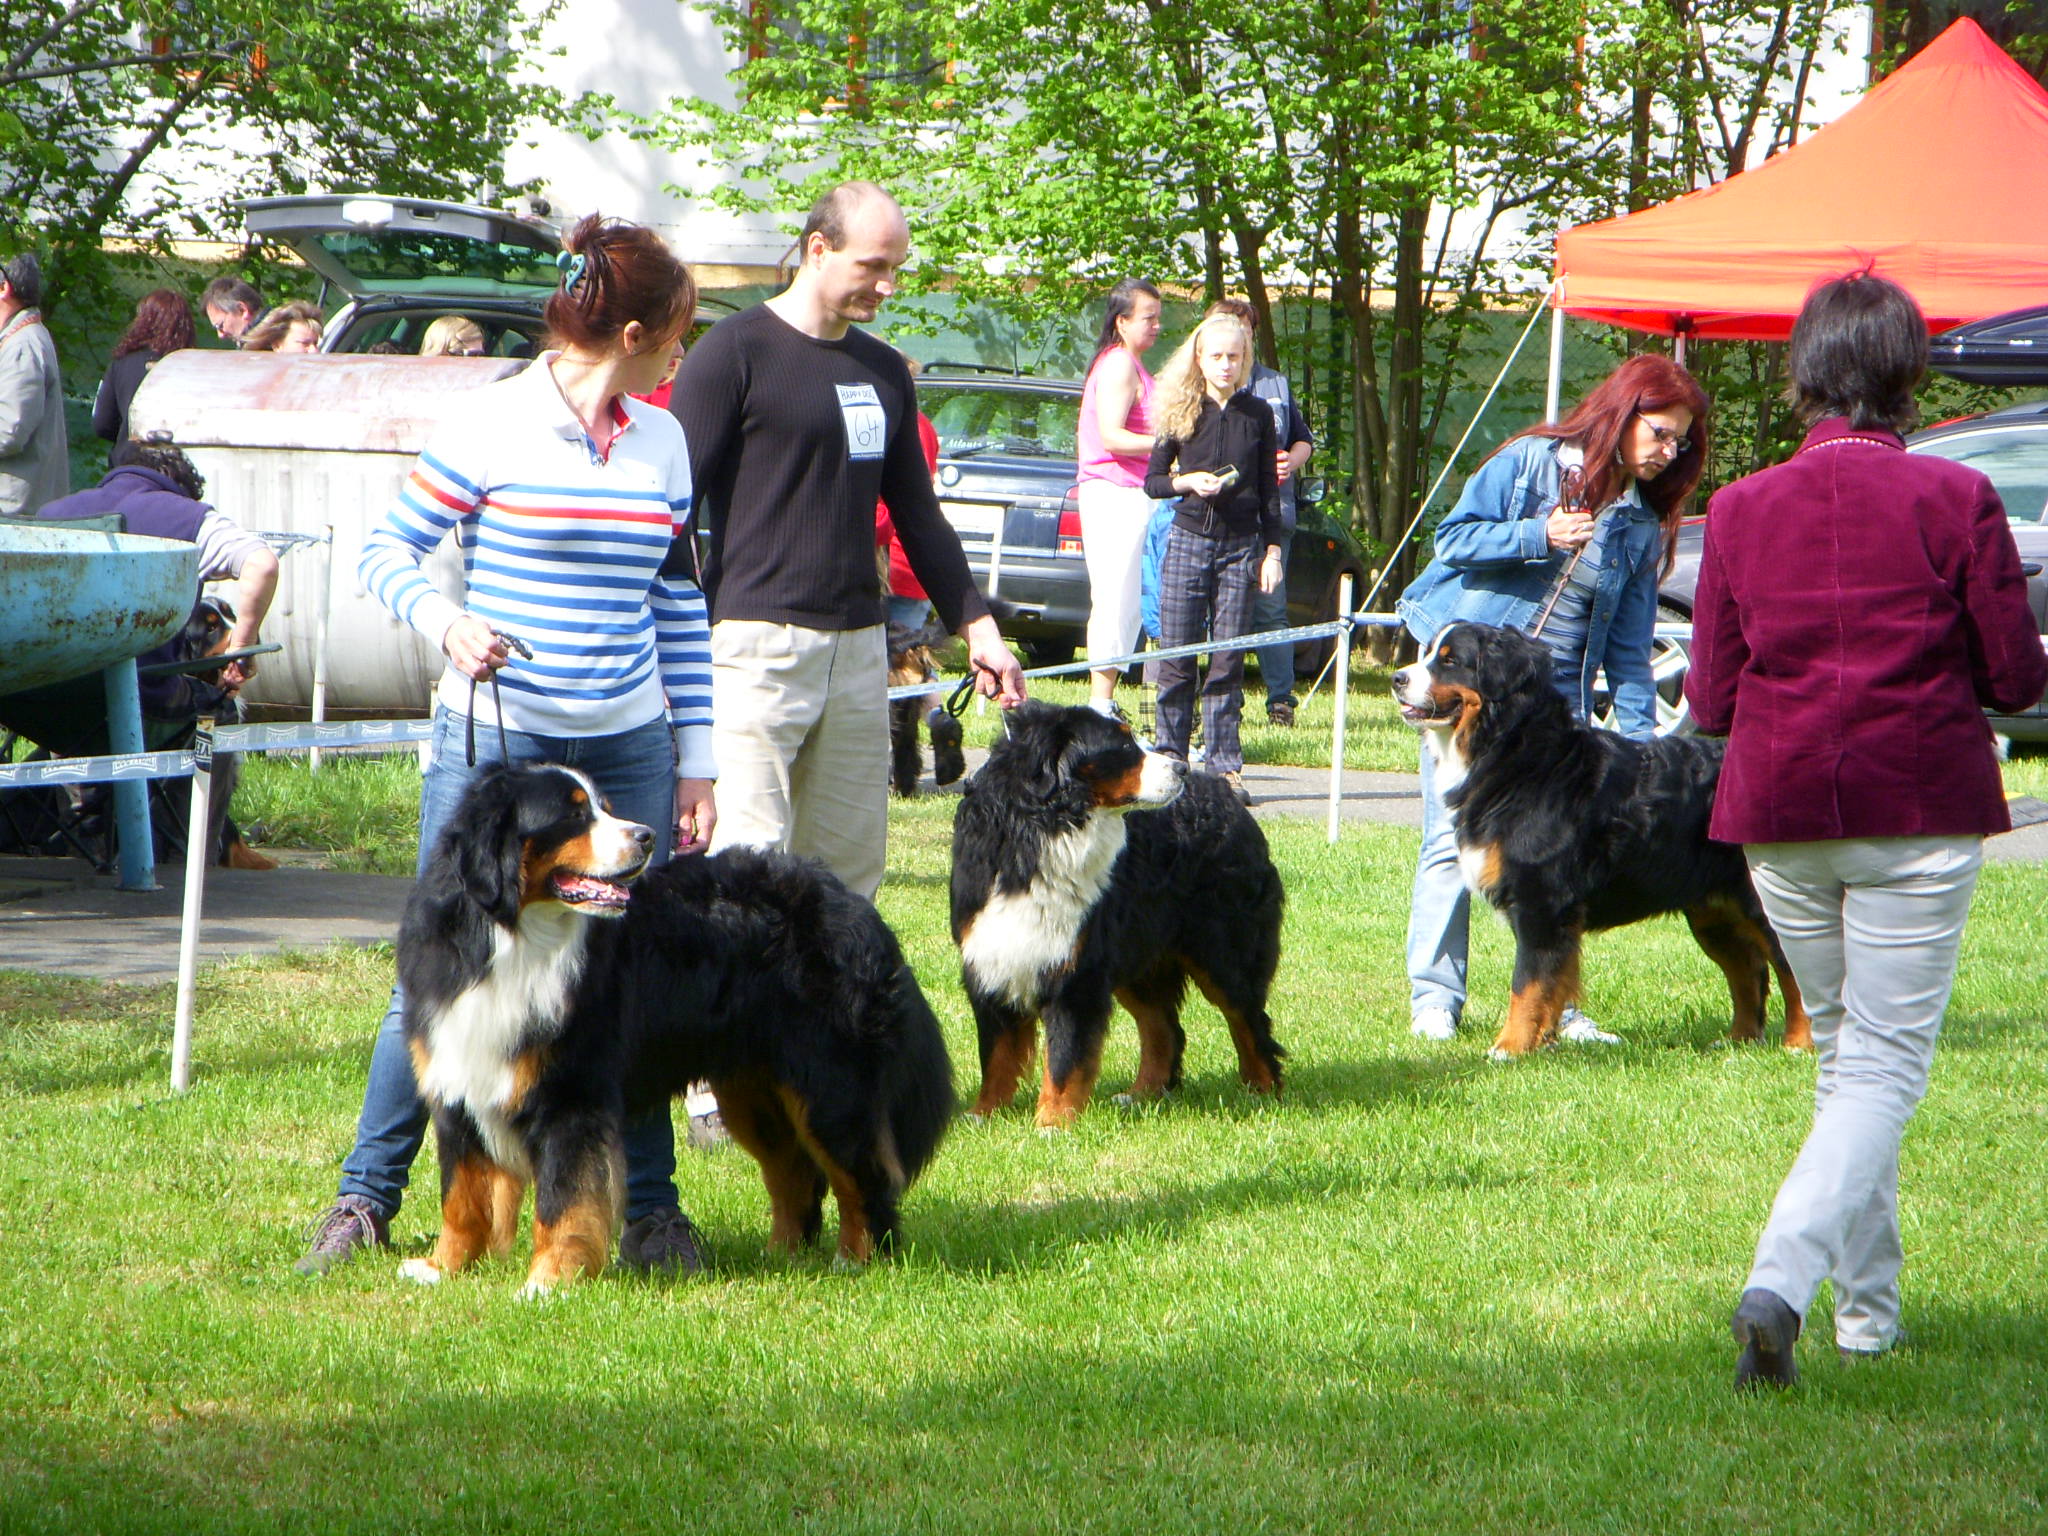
(1021, 937)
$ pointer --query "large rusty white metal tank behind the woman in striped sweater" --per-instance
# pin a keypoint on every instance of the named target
(306, 443)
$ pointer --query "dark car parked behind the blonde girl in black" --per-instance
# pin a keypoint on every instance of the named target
(1007, 458)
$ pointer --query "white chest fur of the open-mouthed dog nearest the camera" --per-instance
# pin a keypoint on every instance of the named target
(474, 1041)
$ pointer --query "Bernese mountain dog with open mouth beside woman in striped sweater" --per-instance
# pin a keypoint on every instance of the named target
(554, 986)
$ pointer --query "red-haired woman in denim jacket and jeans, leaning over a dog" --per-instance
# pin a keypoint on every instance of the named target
(1633, 454)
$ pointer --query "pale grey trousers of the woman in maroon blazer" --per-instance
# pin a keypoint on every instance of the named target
(1871, 929)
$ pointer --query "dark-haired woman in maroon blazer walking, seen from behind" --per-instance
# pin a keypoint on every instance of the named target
(1859, 609)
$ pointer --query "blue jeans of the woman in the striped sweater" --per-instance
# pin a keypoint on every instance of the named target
(638, 775)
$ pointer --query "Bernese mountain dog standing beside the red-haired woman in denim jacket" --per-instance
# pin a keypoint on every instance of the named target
(1568, 830)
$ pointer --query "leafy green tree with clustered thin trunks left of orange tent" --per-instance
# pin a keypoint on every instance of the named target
(1385, 165)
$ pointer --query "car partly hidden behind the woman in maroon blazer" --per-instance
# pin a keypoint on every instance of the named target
(2008, 445)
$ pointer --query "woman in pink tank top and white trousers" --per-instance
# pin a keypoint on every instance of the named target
(1113, 445)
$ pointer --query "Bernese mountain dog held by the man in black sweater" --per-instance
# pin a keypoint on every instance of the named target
(1084, 871)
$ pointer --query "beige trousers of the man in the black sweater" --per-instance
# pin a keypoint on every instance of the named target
(802, 734)
